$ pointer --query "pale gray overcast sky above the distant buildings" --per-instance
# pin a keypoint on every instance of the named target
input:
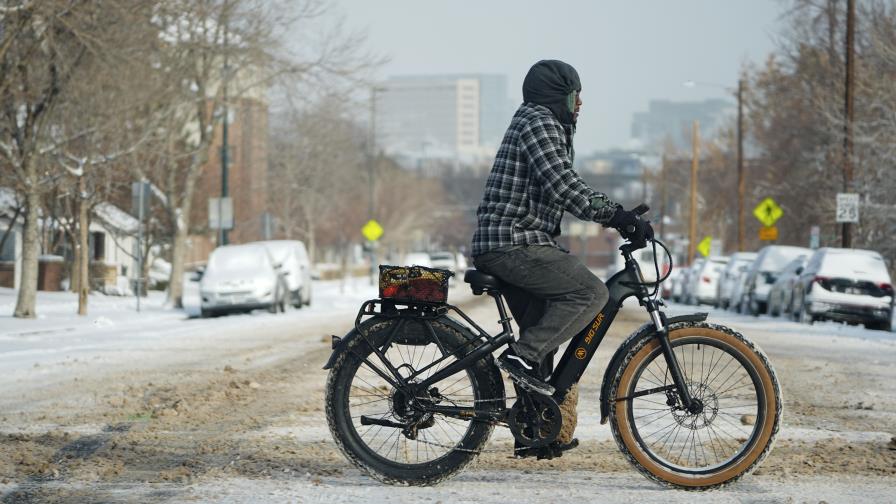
(626, 52)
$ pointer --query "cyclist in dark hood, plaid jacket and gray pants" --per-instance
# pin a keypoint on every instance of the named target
(551, 294)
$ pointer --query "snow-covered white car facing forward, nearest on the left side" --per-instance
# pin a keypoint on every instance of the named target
(240, 278)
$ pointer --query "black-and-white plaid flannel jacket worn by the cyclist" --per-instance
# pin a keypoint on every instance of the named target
(531, 184)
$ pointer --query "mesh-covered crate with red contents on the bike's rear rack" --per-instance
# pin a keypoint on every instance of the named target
(414, 284)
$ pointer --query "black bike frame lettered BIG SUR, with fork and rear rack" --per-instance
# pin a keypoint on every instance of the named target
(581, 349)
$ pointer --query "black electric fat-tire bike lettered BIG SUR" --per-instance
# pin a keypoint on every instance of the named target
(413, 393)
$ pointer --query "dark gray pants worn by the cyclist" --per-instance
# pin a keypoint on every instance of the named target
(551, 294)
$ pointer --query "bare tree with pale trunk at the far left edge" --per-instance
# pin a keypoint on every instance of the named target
(39, 61)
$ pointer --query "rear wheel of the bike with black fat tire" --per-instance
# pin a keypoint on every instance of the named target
(437, 446)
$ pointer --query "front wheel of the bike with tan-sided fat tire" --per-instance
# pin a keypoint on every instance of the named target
(734, 427)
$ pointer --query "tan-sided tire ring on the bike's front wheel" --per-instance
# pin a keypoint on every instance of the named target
(724, 475)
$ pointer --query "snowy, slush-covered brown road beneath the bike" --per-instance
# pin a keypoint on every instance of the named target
(120, 407)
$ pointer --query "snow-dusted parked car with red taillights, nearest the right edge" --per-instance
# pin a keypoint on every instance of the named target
(849, 285)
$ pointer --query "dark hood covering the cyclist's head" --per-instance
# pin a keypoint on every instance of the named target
(553, 84)
